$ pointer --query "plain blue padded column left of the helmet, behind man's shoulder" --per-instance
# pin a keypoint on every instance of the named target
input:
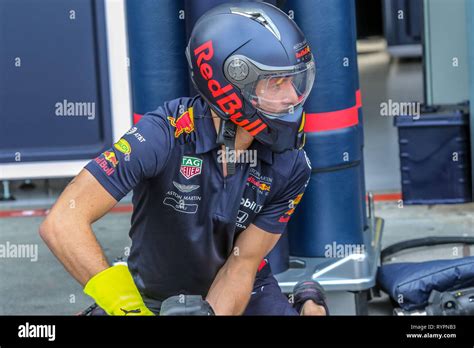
(157, 41)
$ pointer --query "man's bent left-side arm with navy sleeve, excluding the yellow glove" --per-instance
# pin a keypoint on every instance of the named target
(104, 181)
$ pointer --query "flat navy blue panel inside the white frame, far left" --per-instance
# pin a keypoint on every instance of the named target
(57, 104)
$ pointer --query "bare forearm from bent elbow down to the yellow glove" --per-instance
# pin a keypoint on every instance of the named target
(76, 247)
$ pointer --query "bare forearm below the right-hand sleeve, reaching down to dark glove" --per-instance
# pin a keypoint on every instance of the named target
(230, 292)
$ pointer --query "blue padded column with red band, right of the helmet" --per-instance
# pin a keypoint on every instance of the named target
(332, 208)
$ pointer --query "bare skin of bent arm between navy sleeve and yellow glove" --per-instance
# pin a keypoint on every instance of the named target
(67, 228)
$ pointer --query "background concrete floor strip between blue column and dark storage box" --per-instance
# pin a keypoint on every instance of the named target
(380, 80)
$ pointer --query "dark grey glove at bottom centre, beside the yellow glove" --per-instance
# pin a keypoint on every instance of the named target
(186, 305)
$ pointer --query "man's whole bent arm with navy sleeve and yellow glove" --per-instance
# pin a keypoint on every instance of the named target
(105, 181)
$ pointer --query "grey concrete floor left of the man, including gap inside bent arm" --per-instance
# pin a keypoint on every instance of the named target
(44, 287)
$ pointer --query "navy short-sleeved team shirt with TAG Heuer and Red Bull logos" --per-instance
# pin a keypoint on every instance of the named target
(187, 215)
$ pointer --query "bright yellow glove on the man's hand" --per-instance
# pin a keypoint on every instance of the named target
(115, 292)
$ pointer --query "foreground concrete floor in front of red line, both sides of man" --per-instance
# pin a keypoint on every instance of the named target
(44, 287)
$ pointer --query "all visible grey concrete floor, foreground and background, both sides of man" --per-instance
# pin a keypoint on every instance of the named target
(44, 287)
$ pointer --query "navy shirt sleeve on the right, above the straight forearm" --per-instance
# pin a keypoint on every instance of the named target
(275, 215)
